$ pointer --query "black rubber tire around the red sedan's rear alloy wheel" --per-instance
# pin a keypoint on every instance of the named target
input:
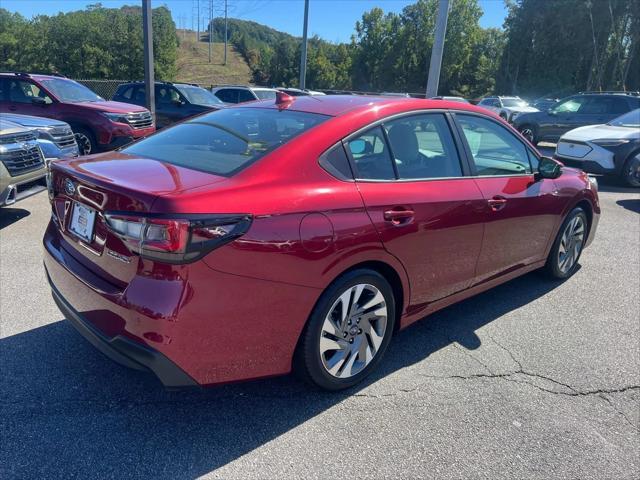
(308, 362)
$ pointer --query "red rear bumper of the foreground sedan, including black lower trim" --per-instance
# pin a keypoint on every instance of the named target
(199, 319)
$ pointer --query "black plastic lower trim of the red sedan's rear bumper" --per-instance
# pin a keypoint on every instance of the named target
(124, 351)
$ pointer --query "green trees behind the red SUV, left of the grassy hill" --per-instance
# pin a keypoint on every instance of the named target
(93, 43)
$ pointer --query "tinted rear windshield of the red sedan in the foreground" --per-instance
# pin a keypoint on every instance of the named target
(226, 141)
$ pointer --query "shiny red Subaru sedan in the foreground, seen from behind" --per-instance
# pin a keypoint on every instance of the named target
(302, 233)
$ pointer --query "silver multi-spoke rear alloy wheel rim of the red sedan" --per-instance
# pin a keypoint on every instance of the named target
(353, 330)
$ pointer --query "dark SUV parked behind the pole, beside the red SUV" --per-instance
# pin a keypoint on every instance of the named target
(174, 101)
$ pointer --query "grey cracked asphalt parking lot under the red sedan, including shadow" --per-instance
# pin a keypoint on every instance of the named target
(534, 379)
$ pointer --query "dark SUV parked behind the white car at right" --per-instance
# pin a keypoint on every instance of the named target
(575, 111)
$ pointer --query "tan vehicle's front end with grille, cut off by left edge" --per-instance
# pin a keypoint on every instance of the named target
(22, 166)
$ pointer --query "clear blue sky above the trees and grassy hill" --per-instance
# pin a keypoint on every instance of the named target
(332, 20)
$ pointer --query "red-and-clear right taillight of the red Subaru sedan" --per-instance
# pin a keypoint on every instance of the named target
(176, 240)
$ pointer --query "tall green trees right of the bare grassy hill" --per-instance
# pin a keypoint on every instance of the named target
(546, 47)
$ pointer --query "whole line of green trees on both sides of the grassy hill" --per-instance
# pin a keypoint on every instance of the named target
(546, 47)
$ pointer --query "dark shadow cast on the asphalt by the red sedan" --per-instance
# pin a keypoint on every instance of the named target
(68, 411)
